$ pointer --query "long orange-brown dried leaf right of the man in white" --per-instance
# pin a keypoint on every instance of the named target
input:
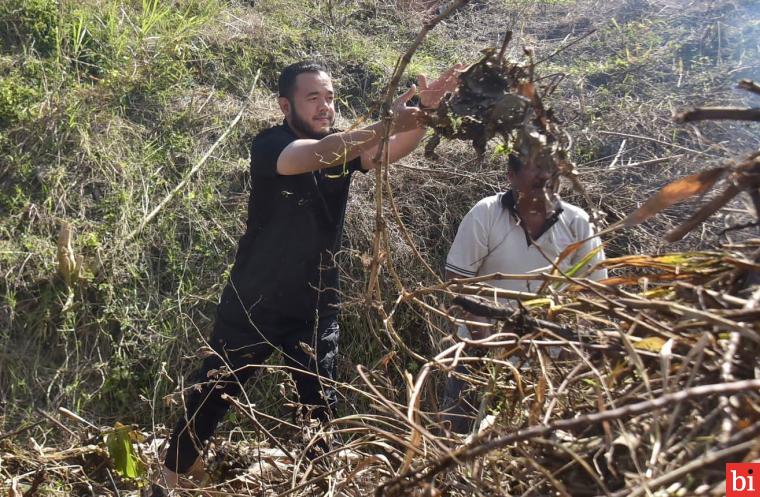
(680, 189)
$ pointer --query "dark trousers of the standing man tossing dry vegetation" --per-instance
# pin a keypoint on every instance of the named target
(243, 341)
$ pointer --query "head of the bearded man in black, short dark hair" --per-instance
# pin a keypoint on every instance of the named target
(311, 109)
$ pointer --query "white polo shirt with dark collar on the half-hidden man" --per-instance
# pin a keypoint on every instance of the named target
(490, 240)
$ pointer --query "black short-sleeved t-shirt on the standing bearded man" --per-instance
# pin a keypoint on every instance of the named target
(285, 260)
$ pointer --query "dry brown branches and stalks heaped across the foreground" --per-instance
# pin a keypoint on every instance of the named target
(647, 382)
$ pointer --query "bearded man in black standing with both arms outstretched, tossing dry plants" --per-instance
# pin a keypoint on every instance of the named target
(282, 290)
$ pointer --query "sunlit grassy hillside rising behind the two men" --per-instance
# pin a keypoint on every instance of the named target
(107, 105)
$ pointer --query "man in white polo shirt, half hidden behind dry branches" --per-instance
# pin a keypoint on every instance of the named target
(520, 231)
